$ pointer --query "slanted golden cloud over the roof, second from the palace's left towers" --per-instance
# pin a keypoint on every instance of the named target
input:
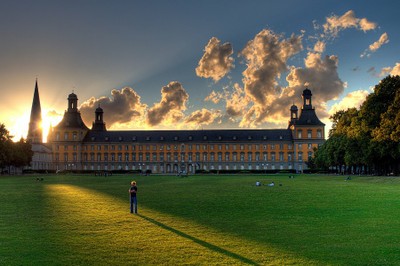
(170, 109)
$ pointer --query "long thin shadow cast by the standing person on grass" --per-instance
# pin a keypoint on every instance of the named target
(200, 242)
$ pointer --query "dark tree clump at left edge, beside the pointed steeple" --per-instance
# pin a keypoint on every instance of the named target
(13, 154)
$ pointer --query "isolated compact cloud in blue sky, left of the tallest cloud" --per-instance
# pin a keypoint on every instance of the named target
(216, 61)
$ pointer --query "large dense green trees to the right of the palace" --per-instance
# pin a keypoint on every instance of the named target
(366, 140)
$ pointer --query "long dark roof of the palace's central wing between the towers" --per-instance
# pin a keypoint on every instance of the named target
(168, 136)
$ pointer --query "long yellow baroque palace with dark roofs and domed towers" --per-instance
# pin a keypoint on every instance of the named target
(76, 147)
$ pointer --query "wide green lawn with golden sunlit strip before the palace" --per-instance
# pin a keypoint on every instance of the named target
(206, 220)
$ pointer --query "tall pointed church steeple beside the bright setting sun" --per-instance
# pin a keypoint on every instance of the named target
(35, 134)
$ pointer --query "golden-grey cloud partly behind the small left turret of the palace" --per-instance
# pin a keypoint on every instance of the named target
(123, 106)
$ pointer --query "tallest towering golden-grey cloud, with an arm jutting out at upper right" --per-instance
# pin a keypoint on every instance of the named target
(266, 56)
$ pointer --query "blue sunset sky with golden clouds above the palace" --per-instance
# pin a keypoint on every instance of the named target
(186, 64)
